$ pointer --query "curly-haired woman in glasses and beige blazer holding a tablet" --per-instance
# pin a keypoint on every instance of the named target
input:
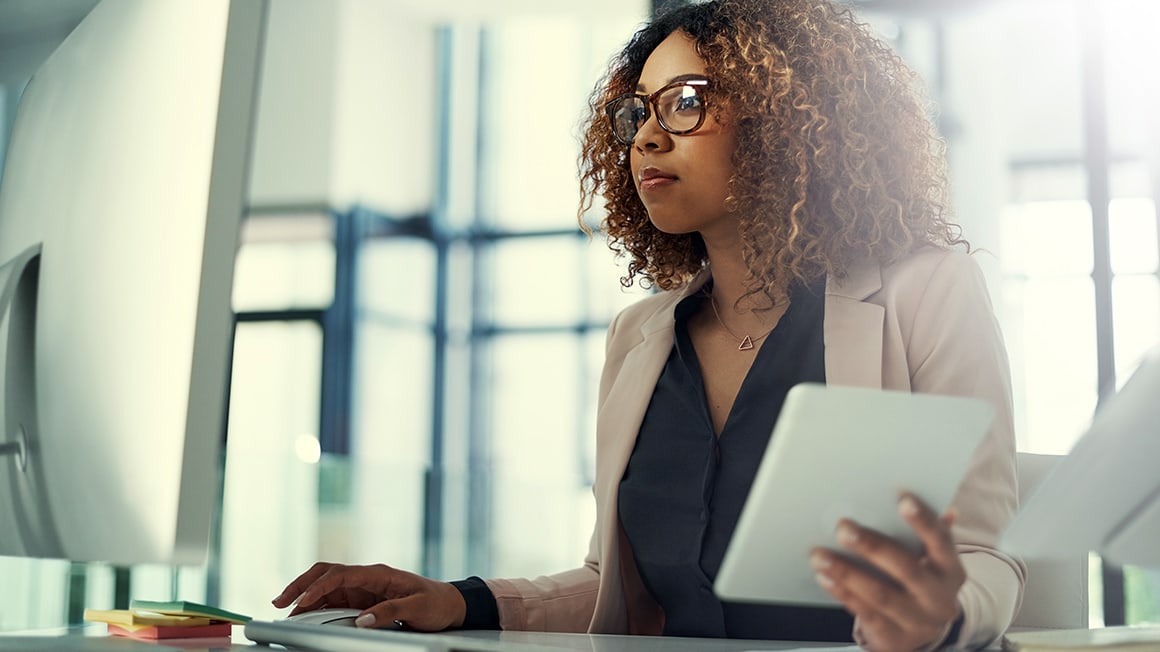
(766, 165)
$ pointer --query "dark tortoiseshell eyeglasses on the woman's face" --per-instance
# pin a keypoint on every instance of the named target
(680, 110)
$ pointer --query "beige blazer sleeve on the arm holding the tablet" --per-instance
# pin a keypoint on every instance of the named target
(955, 347)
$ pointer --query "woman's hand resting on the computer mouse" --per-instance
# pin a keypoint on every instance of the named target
(383, 593)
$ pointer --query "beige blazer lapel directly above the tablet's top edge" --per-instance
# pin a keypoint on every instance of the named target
(853, 329)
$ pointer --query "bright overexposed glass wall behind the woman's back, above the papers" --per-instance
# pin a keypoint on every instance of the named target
(1052, 129)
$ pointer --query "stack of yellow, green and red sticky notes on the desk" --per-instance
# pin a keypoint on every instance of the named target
(150, 620)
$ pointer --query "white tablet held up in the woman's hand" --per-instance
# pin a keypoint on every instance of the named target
(844, 452)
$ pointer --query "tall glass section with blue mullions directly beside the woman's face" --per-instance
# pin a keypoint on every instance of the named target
(527, 296)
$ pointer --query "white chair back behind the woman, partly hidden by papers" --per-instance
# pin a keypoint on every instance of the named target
(1056, 593)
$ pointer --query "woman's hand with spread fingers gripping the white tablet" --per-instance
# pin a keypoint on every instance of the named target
(915, 605)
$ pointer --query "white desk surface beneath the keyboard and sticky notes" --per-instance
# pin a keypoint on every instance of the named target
(91, 639)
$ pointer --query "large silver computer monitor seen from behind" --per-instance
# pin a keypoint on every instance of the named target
(120, 214)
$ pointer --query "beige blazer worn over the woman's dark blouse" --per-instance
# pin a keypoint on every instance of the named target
(924, 324)
